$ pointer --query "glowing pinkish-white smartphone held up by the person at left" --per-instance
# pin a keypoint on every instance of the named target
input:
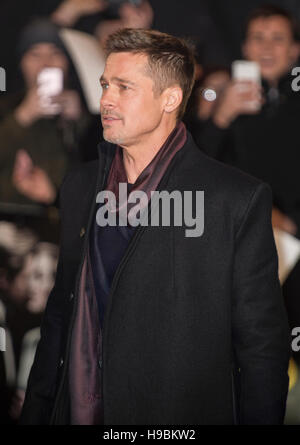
(50, 83)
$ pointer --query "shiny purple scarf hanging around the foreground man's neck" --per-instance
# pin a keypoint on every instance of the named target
(84, 373)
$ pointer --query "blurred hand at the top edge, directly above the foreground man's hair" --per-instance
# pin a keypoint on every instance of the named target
(136, 16)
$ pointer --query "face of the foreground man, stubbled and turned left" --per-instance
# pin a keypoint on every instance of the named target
(130, 111)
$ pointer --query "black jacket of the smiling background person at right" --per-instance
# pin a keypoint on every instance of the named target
(265, 145)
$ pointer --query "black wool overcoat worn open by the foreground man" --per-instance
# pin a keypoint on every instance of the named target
(195, 330)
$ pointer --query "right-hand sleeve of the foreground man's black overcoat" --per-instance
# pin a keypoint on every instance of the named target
(260, 329)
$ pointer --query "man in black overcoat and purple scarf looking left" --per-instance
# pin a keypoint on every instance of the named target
(174, 314)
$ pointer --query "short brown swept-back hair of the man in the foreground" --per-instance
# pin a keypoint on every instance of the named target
(171, 60)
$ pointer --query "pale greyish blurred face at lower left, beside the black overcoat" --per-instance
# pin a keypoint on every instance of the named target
(40, 280)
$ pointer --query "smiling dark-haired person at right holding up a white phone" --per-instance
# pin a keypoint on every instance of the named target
(255, 124)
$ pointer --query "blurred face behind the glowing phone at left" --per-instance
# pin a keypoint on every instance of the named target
(39, 56)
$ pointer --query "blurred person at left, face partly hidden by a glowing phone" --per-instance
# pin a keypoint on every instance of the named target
(39, 137)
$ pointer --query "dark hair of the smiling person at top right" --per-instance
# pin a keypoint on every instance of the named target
(268, 11)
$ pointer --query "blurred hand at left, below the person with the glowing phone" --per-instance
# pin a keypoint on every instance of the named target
(31, 180)
